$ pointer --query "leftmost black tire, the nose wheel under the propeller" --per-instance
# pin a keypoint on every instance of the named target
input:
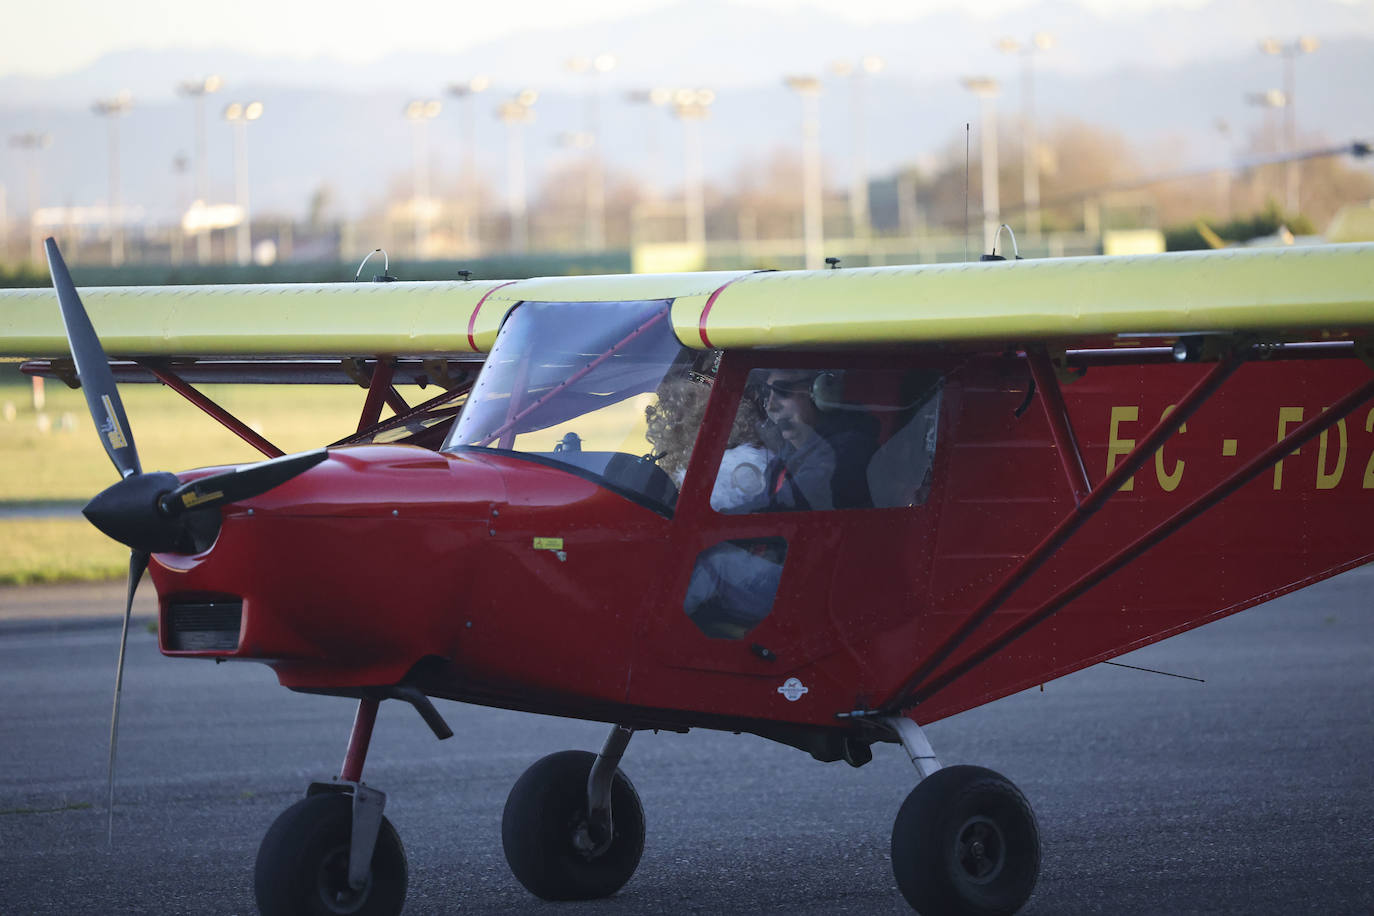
(303, 865)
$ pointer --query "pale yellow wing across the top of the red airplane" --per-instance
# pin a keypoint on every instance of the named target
(1311, 293)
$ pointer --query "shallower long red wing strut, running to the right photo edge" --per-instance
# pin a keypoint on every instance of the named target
(1259, 465)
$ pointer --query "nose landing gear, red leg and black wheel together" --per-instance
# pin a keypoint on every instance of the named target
(335, 852)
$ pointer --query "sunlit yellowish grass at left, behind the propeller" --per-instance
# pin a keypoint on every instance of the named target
(53, 455)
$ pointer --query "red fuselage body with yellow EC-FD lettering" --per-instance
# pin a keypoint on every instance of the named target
(532, 587)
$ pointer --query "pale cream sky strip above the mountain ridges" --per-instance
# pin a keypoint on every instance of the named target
(69, 35)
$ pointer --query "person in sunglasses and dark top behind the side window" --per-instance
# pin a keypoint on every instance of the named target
(824, 451)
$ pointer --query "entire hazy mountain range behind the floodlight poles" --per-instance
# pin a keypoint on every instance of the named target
(1163, 80)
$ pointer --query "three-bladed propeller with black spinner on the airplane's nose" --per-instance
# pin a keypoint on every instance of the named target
(152, 513)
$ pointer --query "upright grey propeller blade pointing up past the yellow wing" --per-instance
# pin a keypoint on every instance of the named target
(94, 370)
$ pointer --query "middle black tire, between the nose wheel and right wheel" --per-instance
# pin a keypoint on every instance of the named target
(546, 808)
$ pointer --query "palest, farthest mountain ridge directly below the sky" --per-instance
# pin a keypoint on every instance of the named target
(729, 45)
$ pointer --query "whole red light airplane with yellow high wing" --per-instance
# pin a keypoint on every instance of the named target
(821, 507)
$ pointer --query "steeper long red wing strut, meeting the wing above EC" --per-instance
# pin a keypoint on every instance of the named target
(1082, 513)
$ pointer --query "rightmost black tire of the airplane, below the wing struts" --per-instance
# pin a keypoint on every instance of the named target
(967, 843)
